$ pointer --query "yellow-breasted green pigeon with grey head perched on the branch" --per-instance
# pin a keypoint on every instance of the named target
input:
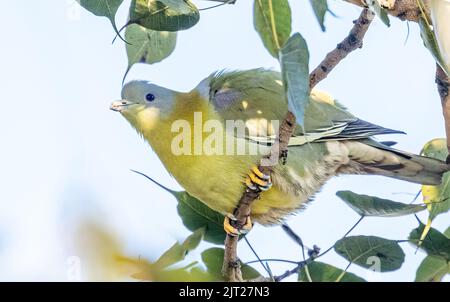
(211, 140)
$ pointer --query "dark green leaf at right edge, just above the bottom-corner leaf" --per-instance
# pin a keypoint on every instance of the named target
(435, 243)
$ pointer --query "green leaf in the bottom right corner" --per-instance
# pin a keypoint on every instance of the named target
(432, 269)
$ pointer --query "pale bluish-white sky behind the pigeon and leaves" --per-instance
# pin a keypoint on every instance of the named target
(65, 158)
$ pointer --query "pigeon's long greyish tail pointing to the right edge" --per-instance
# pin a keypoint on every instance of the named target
(371, 157)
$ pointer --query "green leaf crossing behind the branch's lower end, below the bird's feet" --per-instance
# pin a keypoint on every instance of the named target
(213, 260)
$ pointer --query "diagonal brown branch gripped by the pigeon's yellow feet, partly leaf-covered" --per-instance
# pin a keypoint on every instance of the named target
(231, 266)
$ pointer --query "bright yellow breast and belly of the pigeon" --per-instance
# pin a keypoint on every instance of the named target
(215, 179)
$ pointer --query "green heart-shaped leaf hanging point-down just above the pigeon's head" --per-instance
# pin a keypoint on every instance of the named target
(148, 46)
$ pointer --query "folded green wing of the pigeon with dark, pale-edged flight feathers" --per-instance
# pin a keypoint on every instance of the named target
(258, 94)
